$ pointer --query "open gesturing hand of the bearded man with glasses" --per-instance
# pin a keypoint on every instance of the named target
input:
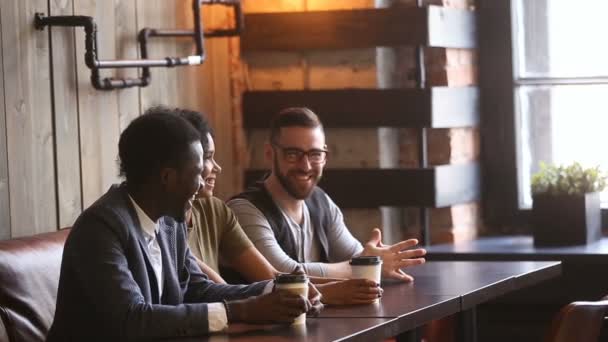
(394, 257)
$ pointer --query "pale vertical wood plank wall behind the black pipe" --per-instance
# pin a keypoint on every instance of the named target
(58, 135)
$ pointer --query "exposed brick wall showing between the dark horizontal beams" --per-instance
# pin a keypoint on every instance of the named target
(370, 147)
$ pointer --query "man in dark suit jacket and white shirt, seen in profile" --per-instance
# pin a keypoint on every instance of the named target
(127, 272)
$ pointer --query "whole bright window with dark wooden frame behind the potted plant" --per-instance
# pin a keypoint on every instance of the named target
(544, 88)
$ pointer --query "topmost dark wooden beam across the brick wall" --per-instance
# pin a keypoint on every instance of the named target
(431, 26)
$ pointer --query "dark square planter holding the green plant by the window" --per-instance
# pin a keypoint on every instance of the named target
(560, 220)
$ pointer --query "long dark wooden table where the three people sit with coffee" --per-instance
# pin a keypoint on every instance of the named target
(441, 289)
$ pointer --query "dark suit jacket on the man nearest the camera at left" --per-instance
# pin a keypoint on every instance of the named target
(107, 288)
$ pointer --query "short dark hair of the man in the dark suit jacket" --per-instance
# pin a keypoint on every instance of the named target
(159, 138)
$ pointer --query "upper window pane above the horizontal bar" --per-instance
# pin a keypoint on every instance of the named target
(560, 38)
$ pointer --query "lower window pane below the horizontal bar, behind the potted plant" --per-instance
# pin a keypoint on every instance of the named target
(560, 124)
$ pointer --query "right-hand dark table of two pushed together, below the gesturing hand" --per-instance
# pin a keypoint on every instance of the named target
(446, 288)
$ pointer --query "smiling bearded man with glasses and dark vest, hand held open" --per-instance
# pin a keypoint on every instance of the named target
(293, 222)
